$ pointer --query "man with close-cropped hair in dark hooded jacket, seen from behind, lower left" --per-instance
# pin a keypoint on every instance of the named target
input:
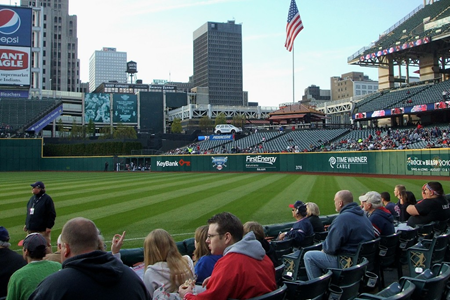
(88, 273)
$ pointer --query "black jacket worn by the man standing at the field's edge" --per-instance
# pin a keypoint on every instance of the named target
(44, 213)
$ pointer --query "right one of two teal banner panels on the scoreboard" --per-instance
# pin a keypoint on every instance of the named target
(124, 108)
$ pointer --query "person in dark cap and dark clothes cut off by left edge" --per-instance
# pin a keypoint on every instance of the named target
(10, 261)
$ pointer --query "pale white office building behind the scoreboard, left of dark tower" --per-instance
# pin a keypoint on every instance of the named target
(107, 65)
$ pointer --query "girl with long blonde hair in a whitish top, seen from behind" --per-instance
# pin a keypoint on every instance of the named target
(164, 265)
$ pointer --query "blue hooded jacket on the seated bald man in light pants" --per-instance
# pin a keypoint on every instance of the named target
(350, 228)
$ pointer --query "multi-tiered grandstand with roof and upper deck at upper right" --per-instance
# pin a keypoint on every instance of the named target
(419, 40)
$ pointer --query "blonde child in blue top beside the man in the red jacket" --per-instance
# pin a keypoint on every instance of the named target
(204, 260)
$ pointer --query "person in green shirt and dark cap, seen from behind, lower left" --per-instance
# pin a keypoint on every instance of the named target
(25, 280)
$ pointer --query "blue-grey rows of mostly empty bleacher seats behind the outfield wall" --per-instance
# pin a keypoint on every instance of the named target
(322, 140)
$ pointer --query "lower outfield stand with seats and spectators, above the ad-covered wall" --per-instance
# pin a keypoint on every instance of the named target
(325, 140)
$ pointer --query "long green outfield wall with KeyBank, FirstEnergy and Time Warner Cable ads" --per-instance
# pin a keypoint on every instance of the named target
(435, 162)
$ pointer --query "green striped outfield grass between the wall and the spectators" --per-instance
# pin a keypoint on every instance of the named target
(139, 202)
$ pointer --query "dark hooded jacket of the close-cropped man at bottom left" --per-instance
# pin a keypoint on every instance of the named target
(94, 275)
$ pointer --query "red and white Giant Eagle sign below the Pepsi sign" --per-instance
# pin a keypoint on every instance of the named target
(15, 66)
